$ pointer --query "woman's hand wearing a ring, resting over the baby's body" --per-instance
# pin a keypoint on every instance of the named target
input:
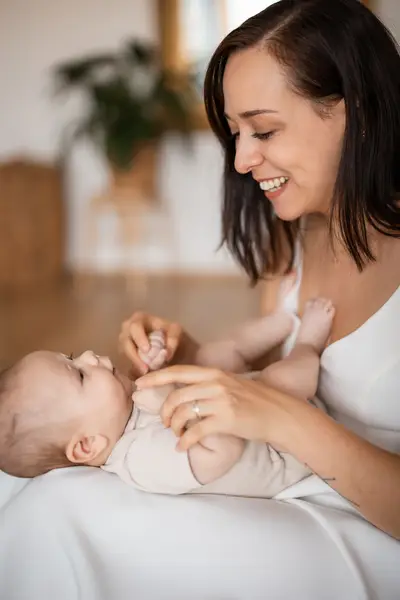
(224, 403)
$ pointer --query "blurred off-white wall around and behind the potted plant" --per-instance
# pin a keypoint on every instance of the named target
(35, 34)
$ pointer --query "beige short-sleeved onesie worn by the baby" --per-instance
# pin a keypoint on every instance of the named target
(145, 457)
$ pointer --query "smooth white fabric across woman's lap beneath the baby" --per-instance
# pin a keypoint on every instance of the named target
(82, 534)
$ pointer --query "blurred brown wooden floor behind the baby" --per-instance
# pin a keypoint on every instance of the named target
(72, 318)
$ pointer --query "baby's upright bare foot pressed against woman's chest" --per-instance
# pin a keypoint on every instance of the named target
(316, 323)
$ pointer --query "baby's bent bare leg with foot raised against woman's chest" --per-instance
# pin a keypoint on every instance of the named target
(297, 374)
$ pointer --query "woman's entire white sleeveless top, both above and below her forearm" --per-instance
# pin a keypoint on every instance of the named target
(359, 384)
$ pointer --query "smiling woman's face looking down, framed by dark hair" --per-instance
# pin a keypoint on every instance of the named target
(281, 140)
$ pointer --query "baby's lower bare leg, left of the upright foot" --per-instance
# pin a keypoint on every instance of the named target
(248, 343)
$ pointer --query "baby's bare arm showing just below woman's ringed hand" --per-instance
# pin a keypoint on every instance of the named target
(214, 456)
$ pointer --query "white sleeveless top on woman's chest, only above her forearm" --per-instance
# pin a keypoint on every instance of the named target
(360, 374)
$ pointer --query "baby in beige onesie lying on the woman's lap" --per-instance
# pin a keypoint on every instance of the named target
(60, 411)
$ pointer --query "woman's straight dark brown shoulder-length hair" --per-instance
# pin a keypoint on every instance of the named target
(331, 50)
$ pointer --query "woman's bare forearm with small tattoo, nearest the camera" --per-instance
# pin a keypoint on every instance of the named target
(366, 475)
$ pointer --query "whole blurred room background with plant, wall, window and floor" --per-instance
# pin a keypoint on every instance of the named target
(110, 180)
